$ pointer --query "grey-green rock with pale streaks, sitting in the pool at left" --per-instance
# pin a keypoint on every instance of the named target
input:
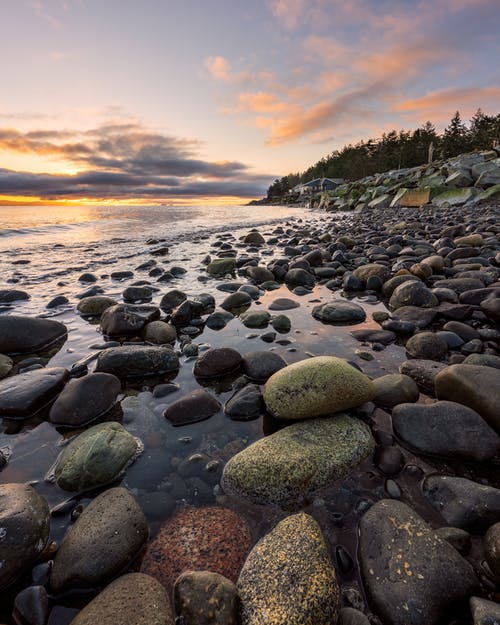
(95, 457)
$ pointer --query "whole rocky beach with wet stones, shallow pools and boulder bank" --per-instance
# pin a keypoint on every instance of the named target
(290, 421)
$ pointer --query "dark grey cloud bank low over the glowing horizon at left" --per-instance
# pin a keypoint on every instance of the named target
(123, 161)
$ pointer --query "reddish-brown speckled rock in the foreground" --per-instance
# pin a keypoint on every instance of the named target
(198, 539)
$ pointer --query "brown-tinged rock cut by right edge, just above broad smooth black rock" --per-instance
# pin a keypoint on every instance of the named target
(474, 386)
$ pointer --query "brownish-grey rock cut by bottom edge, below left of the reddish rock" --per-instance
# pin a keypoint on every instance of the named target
(133, 599)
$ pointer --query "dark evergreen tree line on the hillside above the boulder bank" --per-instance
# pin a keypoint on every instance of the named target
(397, 150)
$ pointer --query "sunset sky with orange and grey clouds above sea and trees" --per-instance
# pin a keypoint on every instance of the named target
(208, 101)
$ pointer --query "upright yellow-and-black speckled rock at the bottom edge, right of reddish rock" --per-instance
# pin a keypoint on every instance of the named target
(288, 578)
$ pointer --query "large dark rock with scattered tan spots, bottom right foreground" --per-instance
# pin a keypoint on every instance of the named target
(411, 575)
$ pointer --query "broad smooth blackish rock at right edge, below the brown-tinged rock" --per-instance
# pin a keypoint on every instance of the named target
(445, 429)
